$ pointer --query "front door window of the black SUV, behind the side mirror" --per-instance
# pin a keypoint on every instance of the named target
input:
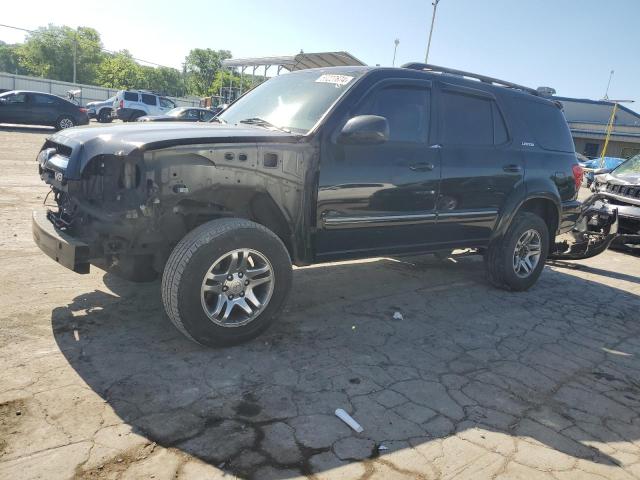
(405, 108)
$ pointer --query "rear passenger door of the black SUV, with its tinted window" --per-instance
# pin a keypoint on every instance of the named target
(479, 167)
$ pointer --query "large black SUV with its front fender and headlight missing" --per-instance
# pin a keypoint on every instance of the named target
(313, 166)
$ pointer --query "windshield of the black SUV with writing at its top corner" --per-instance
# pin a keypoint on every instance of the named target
(292, 101)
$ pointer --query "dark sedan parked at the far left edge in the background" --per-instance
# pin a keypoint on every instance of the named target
(37, 108)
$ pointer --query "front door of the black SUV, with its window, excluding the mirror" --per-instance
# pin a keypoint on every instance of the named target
(381, 198)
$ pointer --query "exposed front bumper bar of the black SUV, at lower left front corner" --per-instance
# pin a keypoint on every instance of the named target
(64, 249)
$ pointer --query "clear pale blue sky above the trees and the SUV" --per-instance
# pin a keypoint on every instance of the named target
(570, 45)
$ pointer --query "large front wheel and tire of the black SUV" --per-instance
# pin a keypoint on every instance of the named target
(226, 282)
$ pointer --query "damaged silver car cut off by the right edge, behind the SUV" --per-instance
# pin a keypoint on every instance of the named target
(620, 188)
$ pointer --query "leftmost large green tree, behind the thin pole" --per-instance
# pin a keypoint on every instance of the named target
(48, 52)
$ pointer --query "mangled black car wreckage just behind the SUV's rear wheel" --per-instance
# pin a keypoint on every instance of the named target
(594, 231)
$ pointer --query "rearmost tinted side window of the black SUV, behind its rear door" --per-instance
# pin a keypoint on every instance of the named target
(547, 125)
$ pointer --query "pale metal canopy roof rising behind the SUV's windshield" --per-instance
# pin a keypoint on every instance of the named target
(300, 61)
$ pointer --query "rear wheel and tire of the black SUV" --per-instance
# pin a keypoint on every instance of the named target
(502, 258)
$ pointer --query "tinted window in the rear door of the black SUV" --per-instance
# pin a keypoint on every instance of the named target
(467, 120)
